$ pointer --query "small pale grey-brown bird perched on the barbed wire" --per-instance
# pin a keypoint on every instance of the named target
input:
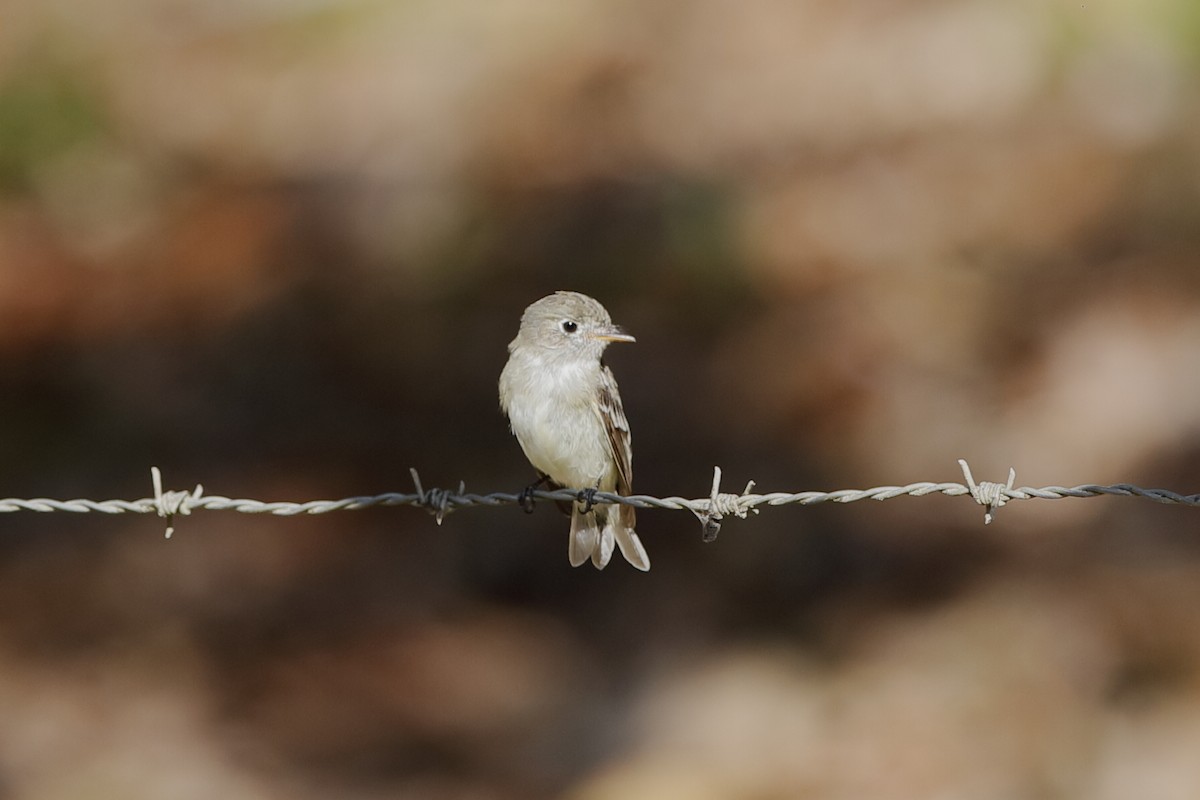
(566, 412)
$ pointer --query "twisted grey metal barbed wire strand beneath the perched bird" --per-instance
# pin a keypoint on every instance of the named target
(710, 510)
